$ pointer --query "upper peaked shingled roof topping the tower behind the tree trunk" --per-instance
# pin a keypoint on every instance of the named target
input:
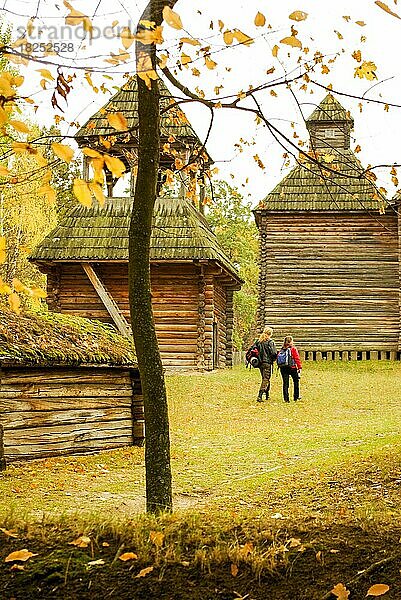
(173, 122)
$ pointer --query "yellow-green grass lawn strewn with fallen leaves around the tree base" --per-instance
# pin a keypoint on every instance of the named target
(324, 472)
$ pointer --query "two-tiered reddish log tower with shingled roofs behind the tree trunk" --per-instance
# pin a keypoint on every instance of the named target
(193, 281)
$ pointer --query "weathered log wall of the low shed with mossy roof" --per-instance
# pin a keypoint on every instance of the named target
(59, 411)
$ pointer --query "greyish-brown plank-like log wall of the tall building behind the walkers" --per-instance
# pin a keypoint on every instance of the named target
(331, 280)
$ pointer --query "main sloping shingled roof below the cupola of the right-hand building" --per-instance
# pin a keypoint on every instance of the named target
(308, 187)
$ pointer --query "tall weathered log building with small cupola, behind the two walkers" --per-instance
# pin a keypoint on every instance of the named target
(330, 250)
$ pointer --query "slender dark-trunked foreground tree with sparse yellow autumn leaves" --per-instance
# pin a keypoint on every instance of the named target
(292, 69)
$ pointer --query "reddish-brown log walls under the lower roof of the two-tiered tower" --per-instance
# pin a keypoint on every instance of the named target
(186, 299)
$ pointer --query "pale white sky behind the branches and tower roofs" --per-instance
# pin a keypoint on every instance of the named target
(377, 132)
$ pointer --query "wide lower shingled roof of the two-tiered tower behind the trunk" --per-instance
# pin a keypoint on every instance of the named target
(180, 232)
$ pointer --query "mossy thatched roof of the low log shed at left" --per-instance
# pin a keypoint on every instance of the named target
(54, 339)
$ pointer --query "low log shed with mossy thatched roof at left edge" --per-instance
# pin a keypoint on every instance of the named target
(67, 386)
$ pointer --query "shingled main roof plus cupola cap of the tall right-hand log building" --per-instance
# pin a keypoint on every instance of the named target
(310, 186)
